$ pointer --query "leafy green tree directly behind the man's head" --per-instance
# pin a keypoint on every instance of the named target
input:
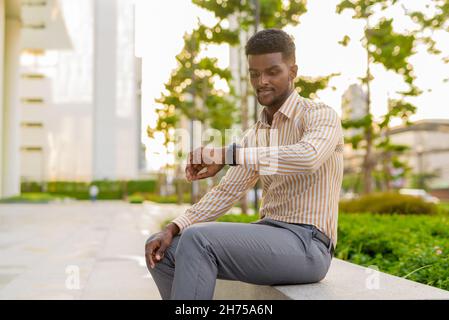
(195, 77)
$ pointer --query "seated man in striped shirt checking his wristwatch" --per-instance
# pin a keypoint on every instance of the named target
(298, 157)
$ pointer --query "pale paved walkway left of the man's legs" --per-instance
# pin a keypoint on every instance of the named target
(78, 250)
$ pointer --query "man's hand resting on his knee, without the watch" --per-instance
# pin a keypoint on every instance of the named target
(155, 249)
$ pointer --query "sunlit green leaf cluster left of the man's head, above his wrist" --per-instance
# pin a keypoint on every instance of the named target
(195, 78)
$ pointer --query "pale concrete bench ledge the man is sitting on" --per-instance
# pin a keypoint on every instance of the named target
(344, 281)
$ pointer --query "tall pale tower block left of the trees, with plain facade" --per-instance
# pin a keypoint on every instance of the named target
(116, 120)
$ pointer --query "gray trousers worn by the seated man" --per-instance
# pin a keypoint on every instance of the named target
(265, 252)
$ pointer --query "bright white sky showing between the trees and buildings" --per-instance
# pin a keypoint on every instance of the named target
(160, 26)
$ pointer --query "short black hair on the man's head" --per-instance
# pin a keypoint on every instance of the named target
(271, 41)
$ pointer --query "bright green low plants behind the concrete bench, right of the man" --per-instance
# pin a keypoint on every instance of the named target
(413, 247)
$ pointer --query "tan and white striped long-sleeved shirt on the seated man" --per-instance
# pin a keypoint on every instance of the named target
(299, 160)
